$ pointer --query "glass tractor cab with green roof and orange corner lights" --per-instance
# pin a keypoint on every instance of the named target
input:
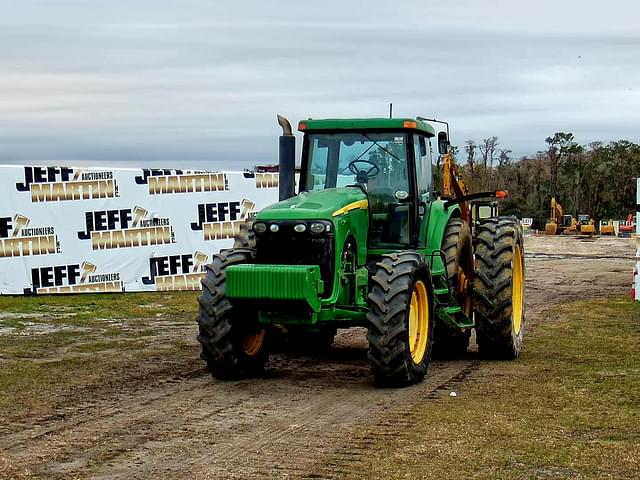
(388, 160)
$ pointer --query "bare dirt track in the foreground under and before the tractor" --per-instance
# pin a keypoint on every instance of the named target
(240, 429)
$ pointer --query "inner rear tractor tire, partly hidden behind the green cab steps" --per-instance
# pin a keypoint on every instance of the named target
(457, 246)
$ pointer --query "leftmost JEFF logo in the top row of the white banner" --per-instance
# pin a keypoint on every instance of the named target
(53, 184)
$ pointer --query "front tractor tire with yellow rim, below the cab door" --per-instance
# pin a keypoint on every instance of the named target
(397, 277)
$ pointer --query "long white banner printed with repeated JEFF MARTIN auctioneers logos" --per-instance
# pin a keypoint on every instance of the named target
(84, 230)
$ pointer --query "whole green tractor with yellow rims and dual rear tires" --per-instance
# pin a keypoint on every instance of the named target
(366, 241)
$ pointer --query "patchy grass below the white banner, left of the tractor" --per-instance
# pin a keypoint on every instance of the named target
(53, 347)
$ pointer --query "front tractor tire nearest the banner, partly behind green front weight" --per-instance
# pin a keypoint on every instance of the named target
(233, 344)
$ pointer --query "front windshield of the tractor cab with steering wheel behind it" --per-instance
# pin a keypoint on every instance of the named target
(334, 160)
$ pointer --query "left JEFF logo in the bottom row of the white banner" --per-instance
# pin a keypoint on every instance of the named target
(73, 278)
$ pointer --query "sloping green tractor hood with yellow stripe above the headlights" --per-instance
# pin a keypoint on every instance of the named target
(316, 205)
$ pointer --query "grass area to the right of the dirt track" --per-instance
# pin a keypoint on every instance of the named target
(569, 408)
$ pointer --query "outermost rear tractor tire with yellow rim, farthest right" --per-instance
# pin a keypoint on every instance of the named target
(499, 287)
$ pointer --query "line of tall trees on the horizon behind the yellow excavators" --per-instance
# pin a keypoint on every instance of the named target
(597, 179)
